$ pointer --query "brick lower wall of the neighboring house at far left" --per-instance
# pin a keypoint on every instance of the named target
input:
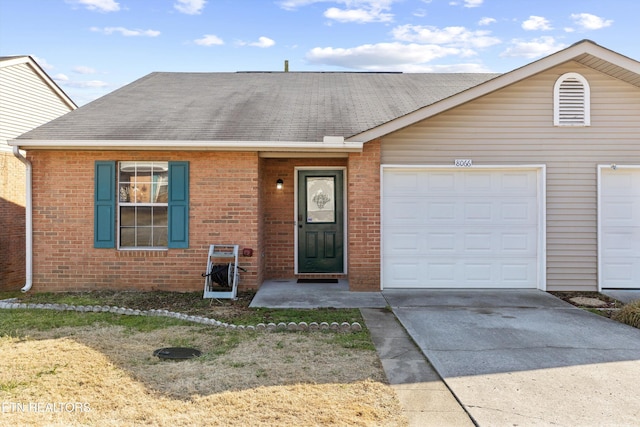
(12, 222)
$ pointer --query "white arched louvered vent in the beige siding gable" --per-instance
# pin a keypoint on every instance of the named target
(571, 96)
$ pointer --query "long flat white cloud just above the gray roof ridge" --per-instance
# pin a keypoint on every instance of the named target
(380, 56)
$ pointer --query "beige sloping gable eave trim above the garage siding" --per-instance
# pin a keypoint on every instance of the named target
(568, 54)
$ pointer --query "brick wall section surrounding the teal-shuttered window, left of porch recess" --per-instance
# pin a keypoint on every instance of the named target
(224, 203)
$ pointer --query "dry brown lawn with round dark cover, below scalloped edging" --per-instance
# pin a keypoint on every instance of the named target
(266, 380)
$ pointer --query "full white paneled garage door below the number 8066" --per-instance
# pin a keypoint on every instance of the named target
(473, 228)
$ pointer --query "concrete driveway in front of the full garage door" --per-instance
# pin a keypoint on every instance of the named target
(526, 358)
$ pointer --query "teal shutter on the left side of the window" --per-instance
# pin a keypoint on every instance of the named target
(104, 235)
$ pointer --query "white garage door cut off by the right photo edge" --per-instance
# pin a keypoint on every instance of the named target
(620, 228)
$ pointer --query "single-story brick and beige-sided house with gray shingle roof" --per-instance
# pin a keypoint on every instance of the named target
(530, 179)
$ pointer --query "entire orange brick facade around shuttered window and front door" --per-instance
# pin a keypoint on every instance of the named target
(233, 200)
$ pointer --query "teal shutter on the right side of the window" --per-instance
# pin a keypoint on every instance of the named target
(178, 204)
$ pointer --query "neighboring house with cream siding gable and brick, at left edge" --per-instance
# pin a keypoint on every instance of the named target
(28, 98)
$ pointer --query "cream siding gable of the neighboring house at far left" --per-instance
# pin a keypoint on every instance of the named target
(26, 101)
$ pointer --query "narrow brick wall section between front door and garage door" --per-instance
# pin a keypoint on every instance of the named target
(364, 218)
